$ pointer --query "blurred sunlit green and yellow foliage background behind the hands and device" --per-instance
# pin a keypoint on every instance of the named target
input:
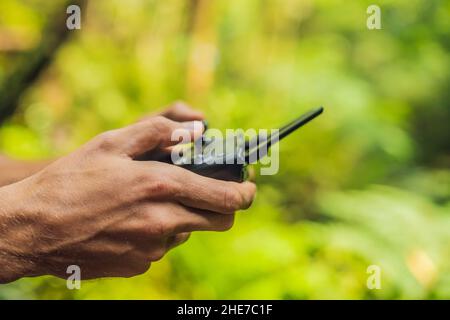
(367, 183)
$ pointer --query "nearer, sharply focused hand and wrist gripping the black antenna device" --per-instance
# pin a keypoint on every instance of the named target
(100, 209)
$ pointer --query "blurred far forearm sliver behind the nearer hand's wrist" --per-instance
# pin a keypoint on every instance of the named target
(14, 170)
